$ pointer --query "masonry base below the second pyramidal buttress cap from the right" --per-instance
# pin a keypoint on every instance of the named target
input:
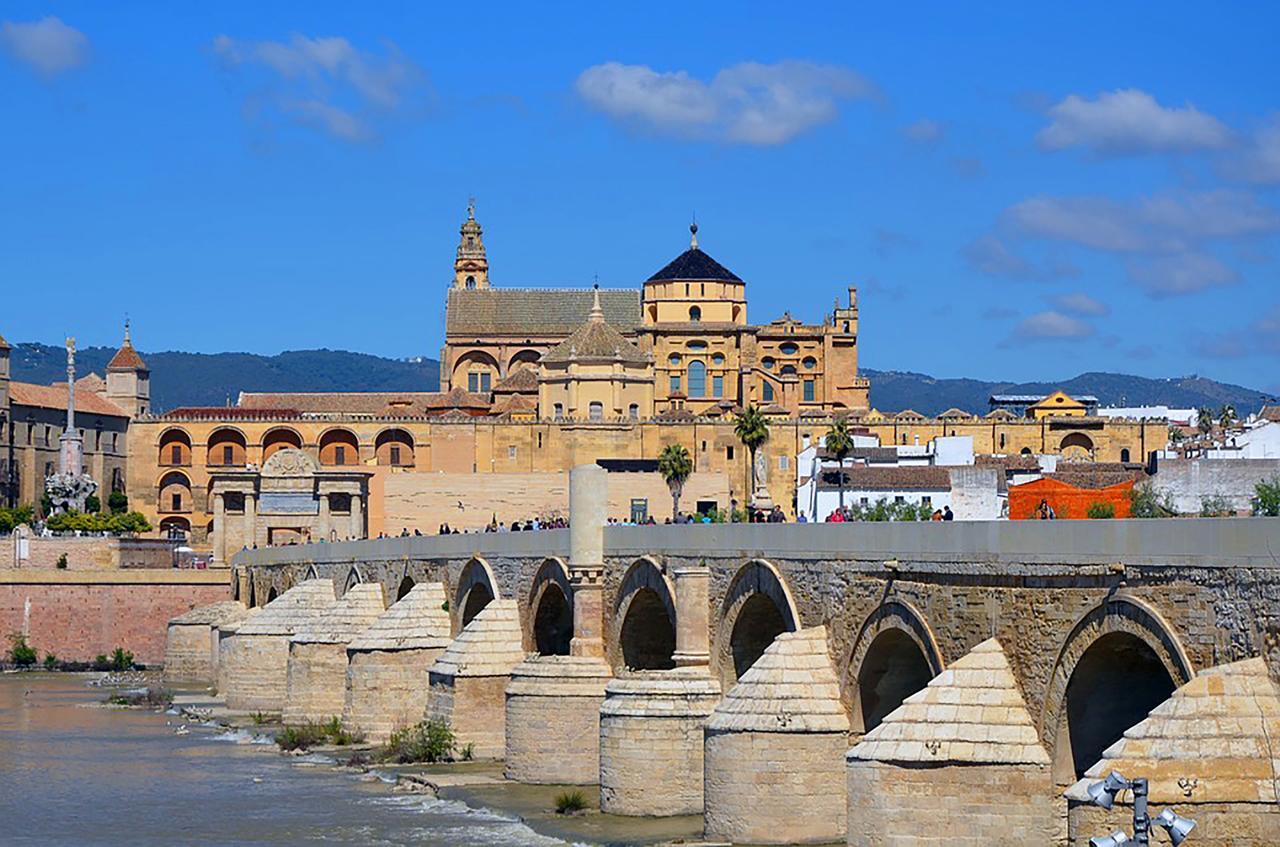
(956, 805)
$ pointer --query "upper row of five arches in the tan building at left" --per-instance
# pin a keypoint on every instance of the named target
(228, 447)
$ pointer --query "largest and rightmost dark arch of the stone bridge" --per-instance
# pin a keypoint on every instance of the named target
(1121, 661)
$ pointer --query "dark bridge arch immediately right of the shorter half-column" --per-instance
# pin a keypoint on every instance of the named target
(758, 608)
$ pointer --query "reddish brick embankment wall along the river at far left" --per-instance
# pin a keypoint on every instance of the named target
(81, 616)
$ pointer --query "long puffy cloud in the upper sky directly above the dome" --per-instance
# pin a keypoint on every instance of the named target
(749, 103)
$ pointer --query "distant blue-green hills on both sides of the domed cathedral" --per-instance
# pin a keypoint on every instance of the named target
(216, 379)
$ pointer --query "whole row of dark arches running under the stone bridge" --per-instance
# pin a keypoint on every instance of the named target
(1118, 663)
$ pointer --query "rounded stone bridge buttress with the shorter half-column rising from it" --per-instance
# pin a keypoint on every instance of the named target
(652, 721)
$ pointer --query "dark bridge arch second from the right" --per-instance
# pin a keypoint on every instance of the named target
(894, 657)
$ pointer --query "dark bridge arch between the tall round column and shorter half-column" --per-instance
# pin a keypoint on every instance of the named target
(644, 619)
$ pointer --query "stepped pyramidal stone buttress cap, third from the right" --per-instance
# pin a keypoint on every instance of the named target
(792, 688)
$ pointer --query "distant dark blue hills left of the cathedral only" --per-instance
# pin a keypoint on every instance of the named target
(216, 379)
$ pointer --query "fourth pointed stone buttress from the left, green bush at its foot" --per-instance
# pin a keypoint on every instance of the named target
(388, 663)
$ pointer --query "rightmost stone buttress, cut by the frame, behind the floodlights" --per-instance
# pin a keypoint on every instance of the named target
(1212, 752)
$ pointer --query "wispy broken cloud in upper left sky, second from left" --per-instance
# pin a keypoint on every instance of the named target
(328, 84)
